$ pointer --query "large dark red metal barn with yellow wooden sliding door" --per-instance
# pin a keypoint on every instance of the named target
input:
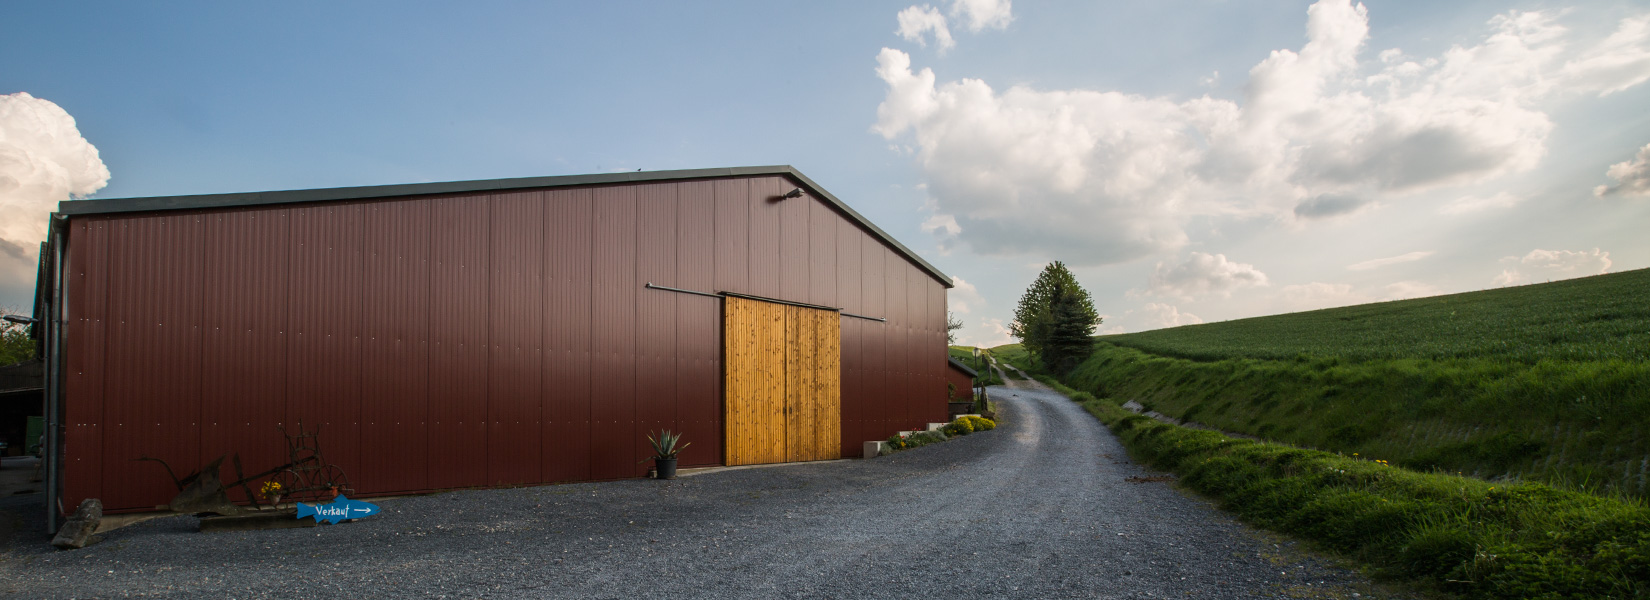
(481, 334)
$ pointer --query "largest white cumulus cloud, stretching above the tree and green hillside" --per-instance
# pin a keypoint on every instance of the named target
(1105, 177)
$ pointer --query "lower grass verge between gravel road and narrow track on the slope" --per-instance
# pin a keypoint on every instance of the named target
(1458, 535)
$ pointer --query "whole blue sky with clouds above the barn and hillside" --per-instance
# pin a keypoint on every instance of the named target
(1167, 151)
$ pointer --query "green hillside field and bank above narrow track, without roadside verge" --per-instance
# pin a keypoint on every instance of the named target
(1544, 382)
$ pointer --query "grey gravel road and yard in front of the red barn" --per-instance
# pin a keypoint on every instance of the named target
(1039, 509)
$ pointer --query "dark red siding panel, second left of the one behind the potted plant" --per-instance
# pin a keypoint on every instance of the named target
(570, 225)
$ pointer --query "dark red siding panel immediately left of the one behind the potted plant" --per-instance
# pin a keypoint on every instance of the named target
(613, 377)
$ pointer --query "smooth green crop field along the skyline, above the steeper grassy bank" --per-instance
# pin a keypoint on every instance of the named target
(1590, 319)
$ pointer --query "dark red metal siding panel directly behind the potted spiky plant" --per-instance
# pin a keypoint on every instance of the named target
(656, 335)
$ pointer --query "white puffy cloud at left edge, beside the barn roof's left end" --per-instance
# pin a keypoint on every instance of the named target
(44, 161)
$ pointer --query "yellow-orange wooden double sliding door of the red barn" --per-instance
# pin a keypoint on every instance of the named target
(783, 383)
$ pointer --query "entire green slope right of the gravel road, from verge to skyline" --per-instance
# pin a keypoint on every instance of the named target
(1532, 383)
